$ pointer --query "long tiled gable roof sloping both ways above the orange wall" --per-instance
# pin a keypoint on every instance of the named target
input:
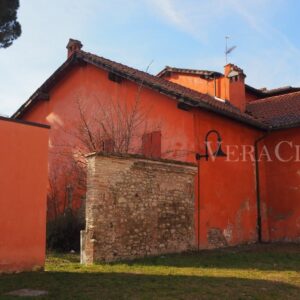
(178, 92)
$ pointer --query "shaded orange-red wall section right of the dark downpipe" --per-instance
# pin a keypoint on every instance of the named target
(283, 186)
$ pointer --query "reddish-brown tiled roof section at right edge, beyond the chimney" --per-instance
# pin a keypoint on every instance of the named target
(281, 111)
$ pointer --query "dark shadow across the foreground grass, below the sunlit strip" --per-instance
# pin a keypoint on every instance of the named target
(65, 285)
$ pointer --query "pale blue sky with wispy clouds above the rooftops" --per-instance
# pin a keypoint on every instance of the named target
(179, 33)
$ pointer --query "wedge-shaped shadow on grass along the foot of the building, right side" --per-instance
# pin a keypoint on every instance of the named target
(273, 257)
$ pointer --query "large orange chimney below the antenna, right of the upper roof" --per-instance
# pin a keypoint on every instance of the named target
(235, 86)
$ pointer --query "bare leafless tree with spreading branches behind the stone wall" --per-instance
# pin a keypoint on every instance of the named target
(110, 125)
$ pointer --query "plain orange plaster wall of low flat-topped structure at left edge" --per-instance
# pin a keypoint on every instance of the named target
(23, 182)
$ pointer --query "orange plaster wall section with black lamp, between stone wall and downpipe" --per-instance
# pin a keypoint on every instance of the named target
(227, 185)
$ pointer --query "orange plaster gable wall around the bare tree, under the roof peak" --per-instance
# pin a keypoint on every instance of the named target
(90, 85)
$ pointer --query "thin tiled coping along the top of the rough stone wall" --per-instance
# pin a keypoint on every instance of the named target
(140, 157)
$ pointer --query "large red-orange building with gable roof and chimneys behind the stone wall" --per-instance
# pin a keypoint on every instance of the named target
(252, 194)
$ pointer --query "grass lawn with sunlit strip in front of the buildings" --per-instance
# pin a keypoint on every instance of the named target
(248, 272)
